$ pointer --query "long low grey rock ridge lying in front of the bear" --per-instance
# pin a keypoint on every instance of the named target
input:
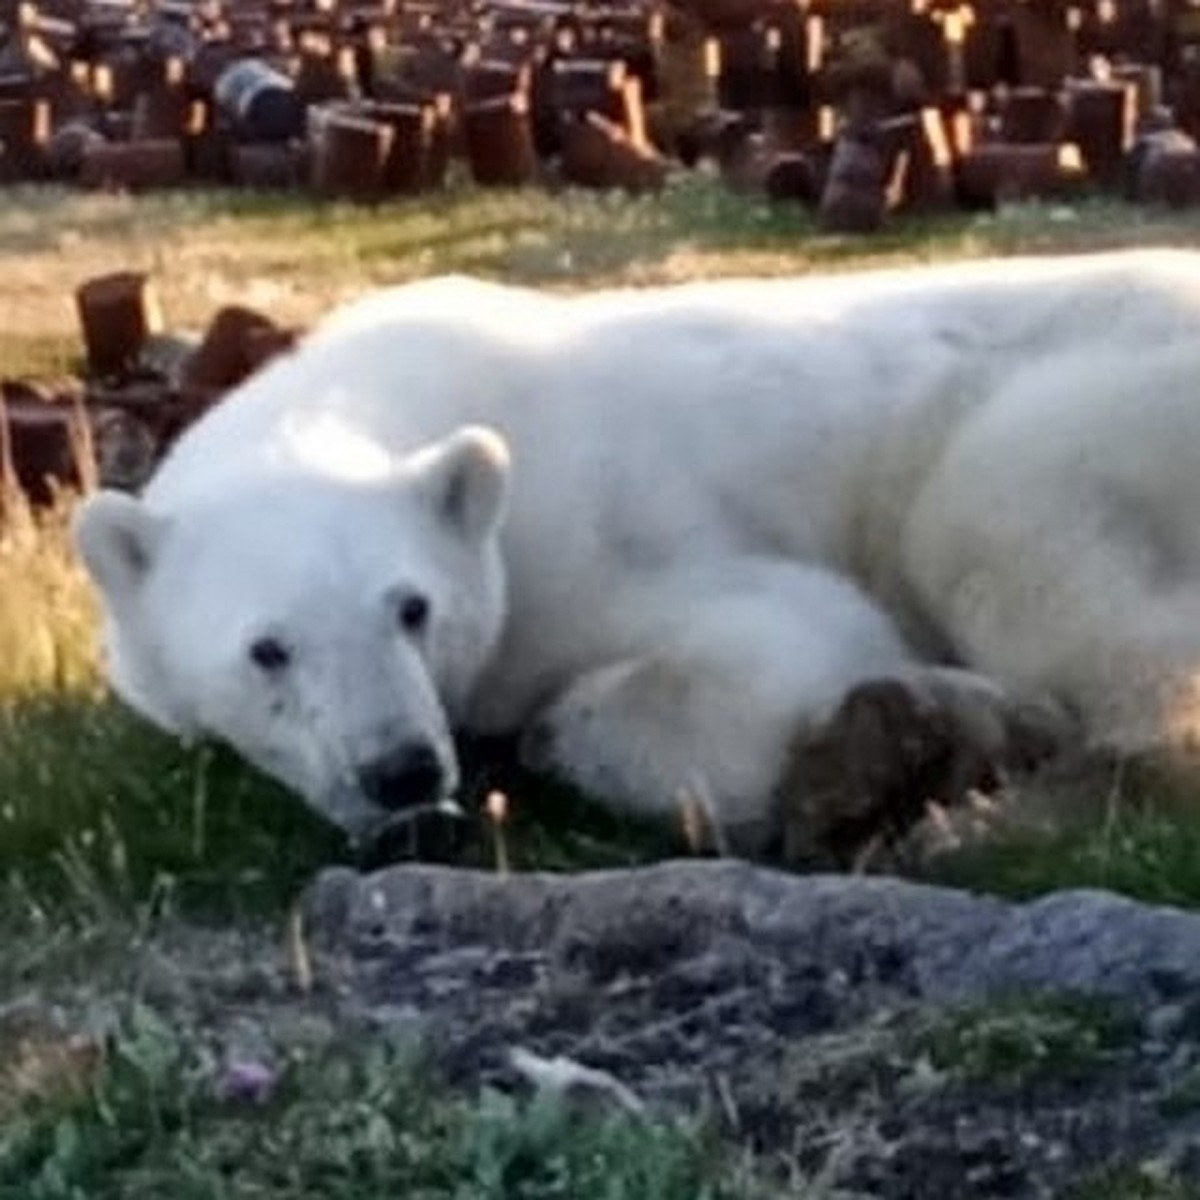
(949, 944)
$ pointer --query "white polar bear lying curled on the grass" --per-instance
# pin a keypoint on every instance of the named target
(728, 506)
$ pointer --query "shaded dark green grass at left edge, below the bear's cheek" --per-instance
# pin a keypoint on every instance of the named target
(101, 809)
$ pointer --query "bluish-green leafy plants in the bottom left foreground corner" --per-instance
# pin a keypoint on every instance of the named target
(160, 1118)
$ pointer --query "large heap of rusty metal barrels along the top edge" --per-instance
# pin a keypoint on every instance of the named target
(857, 107)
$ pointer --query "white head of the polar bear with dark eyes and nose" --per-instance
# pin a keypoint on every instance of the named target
(329, 629)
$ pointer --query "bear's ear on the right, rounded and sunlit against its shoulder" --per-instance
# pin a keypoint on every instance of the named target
(466, 477)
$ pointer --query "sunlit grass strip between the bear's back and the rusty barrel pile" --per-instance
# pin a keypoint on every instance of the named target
(293, 259)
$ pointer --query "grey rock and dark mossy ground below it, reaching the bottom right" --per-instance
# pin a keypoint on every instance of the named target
(902, 1041)
